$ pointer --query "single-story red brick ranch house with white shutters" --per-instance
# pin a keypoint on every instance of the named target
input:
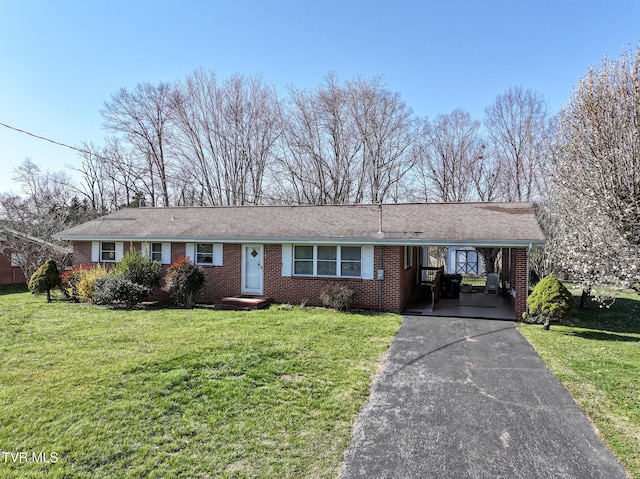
(290, 253)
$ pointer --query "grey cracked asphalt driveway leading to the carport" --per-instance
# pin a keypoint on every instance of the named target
(470, 398)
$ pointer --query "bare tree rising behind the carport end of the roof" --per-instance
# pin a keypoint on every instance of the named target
(517, 125)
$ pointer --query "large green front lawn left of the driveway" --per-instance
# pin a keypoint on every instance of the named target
(181, 393)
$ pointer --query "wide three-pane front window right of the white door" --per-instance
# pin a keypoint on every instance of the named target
(342, 261)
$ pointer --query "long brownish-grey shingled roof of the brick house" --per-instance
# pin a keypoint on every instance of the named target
(473, 224)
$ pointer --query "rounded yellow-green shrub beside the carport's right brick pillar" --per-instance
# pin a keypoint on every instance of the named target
(550, 300)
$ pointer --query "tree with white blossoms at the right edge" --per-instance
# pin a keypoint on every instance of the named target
(596, 183)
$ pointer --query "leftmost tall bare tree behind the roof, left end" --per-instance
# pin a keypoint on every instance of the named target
(144, 117)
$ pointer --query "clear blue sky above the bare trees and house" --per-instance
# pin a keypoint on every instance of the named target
(61, 60)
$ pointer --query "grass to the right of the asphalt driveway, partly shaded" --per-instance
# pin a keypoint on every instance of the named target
(597, 357)
